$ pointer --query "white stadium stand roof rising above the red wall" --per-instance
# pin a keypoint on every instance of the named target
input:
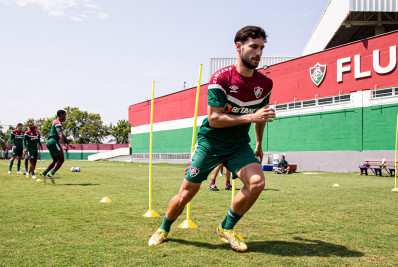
(346, 21)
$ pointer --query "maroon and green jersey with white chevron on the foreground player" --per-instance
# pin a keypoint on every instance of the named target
(239, 95)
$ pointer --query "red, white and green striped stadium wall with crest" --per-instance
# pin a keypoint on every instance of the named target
(351, 115)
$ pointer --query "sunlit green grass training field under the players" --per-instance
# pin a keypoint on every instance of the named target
(299, 219)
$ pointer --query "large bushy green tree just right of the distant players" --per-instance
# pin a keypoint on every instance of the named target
(83, 127)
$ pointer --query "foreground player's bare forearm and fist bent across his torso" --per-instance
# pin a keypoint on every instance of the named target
(218, 119)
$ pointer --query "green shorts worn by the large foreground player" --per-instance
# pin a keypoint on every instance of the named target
(208, 155)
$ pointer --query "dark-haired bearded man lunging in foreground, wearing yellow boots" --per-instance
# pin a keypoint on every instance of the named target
(237, 96)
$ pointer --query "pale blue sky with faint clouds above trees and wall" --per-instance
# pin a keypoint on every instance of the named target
(102, 56)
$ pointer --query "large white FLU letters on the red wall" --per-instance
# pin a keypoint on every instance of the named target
(342, 66)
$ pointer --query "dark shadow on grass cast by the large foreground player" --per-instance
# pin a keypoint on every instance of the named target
(304, 247)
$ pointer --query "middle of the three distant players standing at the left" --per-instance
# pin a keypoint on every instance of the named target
(30, 141)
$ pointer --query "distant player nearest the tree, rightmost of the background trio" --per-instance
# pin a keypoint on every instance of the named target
(57, 152)
